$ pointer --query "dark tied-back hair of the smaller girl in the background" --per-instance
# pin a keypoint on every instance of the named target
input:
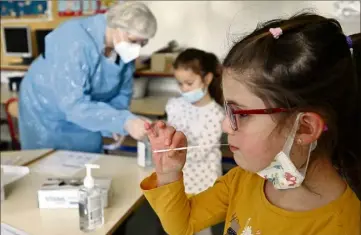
(202, 63)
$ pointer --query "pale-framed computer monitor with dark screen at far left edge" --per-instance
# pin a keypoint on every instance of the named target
(17, 41)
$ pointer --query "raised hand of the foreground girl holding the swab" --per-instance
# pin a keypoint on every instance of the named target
(168, 165)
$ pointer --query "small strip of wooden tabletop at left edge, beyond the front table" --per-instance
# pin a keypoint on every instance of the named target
(24, 157)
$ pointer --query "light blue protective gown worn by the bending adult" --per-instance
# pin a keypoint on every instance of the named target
(74, 95)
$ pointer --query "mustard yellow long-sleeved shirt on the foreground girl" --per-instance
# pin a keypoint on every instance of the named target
(238, 199)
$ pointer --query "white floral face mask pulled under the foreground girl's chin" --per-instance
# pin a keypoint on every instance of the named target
(282, 172)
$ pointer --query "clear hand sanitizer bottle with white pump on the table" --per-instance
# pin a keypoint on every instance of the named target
(91, 212)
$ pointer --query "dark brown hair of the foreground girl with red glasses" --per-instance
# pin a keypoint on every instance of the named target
(310, 67)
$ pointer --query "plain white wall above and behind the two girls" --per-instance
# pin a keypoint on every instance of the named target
(211, 25)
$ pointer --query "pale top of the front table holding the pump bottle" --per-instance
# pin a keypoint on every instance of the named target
(20, 209)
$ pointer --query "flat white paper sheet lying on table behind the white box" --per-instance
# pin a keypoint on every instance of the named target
(64, 163)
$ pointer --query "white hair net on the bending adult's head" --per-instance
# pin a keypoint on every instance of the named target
(133, 17)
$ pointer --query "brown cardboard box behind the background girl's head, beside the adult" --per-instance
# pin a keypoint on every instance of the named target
(163, 62)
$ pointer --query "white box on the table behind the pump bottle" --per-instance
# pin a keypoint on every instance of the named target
(63, 192)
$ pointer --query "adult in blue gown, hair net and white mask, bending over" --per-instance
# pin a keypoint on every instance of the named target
(78, 91)
